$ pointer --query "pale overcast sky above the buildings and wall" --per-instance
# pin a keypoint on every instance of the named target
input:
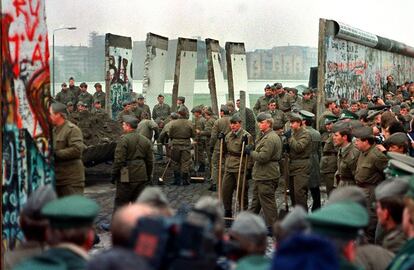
(260, 24)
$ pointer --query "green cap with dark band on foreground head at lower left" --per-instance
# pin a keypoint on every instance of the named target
(71, 212)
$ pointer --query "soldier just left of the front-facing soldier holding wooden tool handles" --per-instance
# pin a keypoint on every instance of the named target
(220, 128)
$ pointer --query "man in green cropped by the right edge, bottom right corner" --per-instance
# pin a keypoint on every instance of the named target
(404, 259)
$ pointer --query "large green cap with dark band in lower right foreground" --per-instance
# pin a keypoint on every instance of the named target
(342, 219)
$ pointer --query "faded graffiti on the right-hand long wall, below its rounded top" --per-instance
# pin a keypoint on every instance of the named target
(354, 70)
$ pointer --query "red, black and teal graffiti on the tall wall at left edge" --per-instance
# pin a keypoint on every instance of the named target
(26, 136)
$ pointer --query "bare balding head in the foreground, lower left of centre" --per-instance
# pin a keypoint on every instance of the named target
(124, 221)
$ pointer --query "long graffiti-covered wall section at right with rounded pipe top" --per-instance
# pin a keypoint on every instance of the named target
(352, 63)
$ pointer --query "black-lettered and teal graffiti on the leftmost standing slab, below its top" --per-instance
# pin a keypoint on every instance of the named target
(120, 77)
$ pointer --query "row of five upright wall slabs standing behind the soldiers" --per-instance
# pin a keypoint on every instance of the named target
(119, 62)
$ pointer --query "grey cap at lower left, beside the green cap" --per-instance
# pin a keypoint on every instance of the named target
(39, 198)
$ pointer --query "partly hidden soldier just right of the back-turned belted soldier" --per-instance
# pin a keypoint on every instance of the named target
(199, 141)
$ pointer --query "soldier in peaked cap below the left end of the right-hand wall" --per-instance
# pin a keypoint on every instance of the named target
(329, 163)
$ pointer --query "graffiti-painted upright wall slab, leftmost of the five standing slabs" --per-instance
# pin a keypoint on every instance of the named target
(118, 50)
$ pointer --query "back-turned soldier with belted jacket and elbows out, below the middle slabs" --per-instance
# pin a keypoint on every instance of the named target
(180, 132)
